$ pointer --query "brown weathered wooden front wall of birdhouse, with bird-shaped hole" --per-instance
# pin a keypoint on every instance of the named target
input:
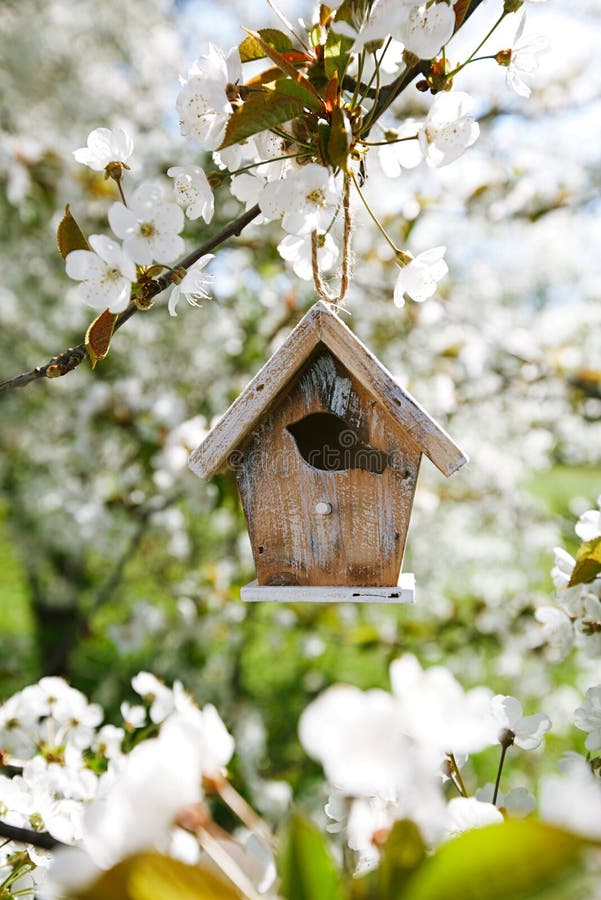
(327, 480)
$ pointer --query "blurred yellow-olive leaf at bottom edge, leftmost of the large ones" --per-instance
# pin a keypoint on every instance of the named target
(149, 876)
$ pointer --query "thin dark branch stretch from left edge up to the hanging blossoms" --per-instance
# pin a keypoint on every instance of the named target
(70, 359)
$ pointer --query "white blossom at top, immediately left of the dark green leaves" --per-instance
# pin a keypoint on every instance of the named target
(203, 103)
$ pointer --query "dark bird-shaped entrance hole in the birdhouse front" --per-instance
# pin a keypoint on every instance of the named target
(327, 442)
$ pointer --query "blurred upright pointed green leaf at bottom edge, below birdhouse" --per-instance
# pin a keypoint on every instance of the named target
(307, 869)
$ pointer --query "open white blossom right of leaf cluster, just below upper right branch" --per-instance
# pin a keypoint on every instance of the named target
(448, 130)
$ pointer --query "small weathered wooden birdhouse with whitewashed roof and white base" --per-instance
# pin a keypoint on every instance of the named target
(326, 449)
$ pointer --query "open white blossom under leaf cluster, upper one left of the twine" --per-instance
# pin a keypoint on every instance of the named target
(306, 199)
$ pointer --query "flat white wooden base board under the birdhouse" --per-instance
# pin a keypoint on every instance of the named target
(404, 592)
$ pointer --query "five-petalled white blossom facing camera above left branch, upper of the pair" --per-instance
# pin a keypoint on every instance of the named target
(149, 228)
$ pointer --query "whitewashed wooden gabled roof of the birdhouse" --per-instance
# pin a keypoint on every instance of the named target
(322, 326)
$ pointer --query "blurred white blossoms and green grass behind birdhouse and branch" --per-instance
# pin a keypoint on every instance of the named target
(115, 558)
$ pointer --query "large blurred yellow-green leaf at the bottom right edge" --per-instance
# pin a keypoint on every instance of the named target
(517, 859)
